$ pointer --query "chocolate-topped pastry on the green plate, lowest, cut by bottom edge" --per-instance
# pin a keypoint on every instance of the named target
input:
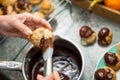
(105, 73)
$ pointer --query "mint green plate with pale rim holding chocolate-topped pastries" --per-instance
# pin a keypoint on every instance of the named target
(101, 62)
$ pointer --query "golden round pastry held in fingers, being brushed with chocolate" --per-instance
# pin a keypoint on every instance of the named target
(39, 34)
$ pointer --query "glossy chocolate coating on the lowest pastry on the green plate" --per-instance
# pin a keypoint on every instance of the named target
(103, 74)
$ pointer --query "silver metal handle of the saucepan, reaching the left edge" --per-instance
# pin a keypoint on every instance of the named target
(11, 65)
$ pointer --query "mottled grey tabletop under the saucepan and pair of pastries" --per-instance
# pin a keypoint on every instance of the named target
(68, 25)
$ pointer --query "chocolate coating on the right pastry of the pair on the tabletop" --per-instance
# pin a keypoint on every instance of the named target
(103, 33)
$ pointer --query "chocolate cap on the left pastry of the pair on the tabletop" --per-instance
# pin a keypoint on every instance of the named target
(86, 32)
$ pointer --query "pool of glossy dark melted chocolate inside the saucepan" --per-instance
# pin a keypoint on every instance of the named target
(66, 60)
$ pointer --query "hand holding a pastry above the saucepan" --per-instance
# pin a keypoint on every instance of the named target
(21, 25)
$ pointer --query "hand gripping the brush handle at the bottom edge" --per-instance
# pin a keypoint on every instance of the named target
(54, 76)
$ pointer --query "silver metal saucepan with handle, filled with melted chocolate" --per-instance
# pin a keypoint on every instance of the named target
(67, 60)
